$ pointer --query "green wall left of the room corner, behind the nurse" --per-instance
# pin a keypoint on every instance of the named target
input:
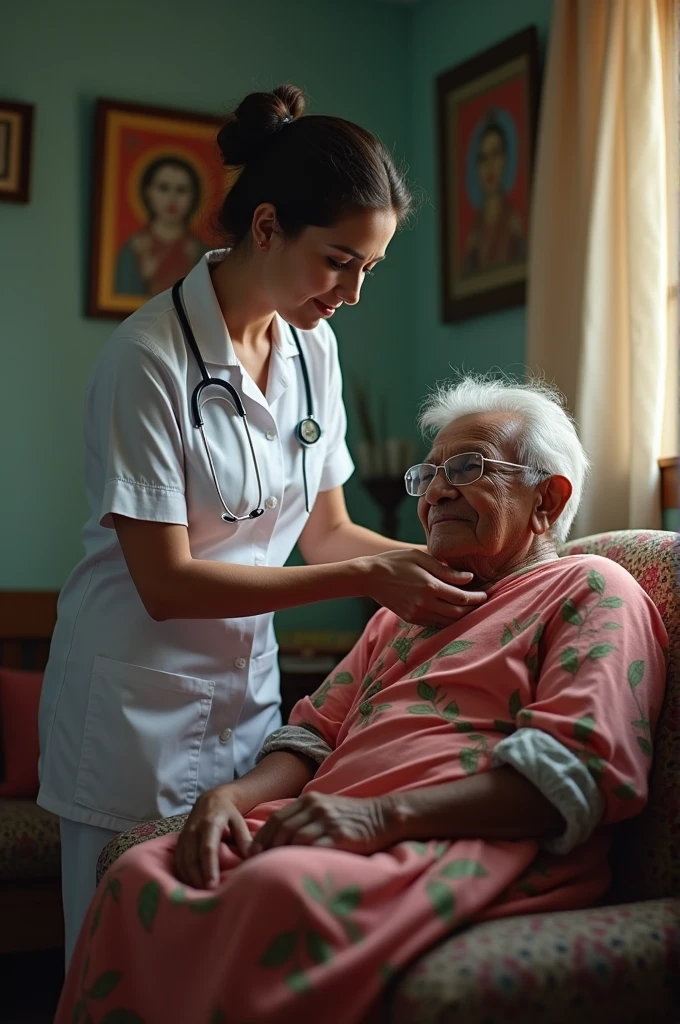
(349, 57)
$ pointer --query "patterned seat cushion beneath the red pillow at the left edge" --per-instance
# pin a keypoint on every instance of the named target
(29, 841)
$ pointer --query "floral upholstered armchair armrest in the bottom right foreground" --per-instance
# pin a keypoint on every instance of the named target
(607, 966)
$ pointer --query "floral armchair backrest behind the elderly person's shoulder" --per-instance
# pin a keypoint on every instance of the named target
(646, 858)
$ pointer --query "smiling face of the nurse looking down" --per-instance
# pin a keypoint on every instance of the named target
(312, 276)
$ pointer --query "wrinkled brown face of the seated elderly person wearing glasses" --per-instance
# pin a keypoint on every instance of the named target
(489, 522)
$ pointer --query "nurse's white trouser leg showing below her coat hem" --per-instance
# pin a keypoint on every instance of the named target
(81, 846)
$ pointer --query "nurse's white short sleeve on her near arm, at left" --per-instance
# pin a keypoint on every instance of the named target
(134, 401)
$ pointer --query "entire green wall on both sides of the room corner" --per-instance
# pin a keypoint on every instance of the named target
(370, 62)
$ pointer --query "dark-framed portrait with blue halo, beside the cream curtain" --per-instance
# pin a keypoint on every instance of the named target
(488, 118)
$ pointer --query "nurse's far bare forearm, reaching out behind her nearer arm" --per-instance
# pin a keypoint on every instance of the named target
(330, 536)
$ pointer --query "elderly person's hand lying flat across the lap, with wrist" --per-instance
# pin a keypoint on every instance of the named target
(361, 826)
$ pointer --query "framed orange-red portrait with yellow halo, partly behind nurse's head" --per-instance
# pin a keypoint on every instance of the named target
(158, 185)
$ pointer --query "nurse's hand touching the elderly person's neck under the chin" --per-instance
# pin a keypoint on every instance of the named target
(419, 589)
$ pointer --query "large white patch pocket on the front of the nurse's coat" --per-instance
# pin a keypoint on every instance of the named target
(143, 737)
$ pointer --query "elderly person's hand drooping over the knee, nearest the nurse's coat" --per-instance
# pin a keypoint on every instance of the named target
(216, 815)
